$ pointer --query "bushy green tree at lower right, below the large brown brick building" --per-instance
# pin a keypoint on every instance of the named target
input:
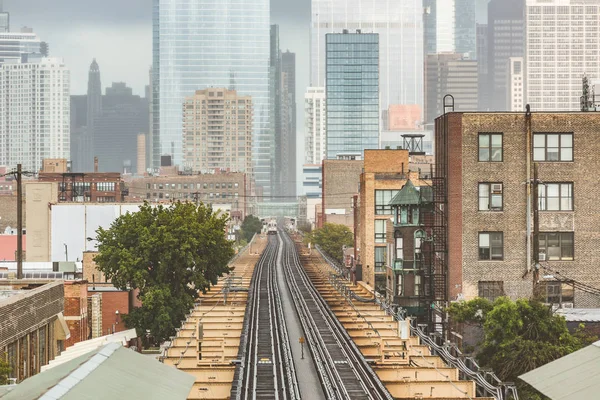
(518, 337)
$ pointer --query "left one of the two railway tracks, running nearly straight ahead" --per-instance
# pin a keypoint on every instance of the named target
(267, 369)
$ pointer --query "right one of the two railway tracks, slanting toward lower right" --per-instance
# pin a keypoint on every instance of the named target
(343, 371)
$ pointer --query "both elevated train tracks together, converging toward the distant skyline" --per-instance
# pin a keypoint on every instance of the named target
(267, 368)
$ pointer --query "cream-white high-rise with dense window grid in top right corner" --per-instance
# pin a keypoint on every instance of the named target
(563, 42)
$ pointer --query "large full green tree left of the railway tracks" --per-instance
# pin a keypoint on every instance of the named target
(169, 253)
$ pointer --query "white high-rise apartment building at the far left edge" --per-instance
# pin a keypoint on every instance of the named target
(34, 112)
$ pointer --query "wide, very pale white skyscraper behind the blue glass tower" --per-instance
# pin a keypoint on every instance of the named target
(400, 28)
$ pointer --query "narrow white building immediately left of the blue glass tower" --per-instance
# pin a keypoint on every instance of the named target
(316, 125)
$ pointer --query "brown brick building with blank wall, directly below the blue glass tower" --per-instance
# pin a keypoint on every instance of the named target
(340, 184)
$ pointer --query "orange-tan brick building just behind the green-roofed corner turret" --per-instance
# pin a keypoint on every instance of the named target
(385, 173)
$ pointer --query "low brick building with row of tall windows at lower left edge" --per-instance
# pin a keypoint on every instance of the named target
(33, 330)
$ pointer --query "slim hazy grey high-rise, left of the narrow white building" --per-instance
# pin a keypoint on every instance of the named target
(288, 126)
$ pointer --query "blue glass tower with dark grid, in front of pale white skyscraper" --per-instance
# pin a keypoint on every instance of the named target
(352, 85)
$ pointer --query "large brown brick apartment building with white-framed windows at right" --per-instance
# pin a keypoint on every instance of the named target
(504, 223)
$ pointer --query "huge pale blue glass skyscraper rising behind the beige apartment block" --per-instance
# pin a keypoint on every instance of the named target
(198, 44)
